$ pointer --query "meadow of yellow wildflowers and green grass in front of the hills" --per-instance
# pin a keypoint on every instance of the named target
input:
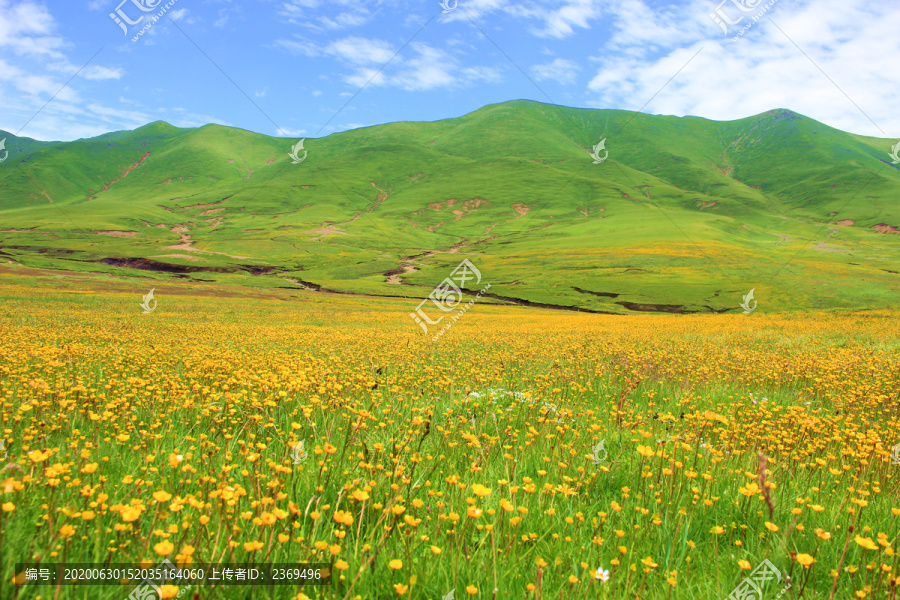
(526, 454)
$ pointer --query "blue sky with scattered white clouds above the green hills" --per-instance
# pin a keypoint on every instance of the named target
(307, 68)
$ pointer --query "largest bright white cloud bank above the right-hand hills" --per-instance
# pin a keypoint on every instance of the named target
(852, 41)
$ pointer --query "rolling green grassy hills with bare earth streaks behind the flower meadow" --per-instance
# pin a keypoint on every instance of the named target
(685, 215)
